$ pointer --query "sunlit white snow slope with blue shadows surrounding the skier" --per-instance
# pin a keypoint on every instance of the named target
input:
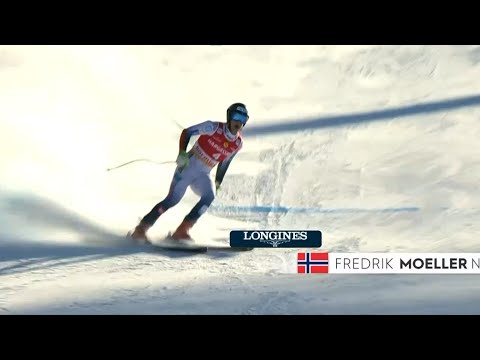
(376, 146)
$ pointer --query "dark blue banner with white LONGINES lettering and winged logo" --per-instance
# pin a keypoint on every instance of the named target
(276, 238)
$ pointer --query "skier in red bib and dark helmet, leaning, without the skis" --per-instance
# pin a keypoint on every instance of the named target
(217, 144)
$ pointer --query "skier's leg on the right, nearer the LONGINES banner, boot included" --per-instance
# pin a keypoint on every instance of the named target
(203, 187)
